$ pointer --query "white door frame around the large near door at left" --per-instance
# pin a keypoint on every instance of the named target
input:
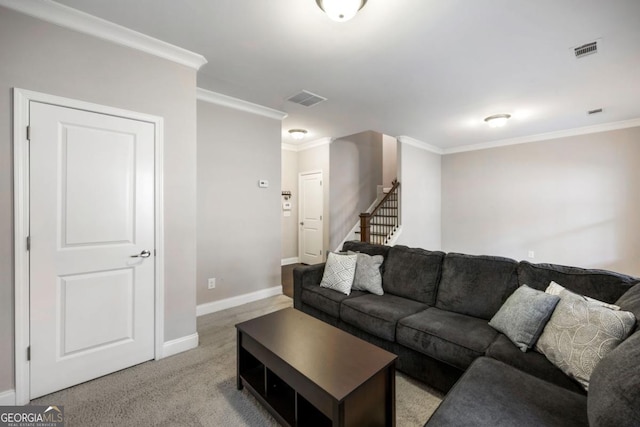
(21, 100)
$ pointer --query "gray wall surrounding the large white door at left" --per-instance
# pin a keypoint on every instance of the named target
(46, 58)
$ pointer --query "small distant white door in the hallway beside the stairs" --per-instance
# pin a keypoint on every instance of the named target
(311, 225)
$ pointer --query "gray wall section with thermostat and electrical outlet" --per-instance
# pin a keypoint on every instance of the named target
(238, 222)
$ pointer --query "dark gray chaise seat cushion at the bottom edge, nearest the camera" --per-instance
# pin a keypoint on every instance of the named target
(493, 394)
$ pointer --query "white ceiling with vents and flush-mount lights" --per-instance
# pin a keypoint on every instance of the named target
(428, 69)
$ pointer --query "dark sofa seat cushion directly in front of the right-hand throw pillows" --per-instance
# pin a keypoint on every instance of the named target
(531, 362)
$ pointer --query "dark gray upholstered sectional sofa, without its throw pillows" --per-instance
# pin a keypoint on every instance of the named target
(435, 314)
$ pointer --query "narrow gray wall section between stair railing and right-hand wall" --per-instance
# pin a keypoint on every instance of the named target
(420, 196)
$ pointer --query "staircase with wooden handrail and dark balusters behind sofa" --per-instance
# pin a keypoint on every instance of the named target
(379, 225)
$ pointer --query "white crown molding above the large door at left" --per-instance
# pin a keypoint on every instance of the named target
(64, 16)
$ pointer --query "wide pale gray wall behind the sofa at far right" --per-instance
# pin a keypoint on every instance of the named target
(572, 201)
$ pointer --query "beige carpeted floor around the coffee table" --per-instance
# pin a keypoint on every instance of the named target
(198, 387)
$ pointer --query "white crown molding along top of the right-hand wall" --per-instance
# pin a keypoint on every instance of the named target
(545, 136)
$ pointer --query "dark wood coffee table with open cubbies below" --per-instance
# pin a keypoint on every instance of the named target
(309, 373)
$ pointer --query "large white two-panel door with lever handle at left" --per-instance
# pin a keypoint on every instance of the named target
(91, 211)
